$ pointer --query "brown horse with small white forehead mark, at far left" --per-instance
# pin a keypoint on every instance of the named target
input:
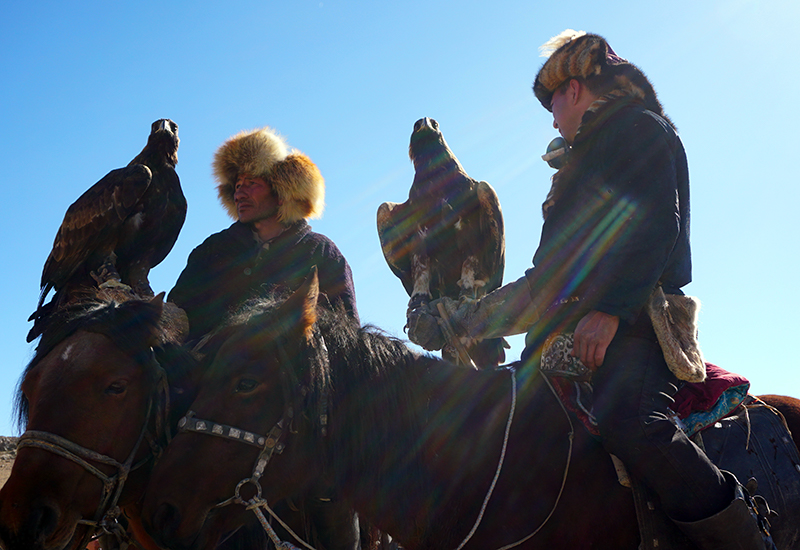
(94, 401)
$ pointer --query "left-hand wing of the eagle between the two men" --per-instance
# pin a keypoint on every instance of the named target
(397, 233)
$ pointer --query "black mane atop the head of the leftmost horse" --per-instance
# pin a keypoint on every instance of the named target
(133, 325)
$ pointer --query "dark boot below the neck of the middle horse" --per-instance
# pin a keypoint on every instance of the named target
(335, 524)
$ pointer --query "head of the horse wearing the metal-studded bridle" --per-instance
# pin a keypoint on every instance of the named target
(264, 368)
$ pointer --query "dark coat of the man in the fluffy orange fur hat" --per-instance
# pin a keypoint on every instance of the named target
(230, 267)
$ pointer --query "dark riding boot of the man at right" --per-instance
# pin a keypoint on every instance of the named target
(741, 525)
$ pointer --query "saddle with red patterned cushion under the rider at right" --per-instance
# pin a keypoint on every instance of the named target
(738, 432)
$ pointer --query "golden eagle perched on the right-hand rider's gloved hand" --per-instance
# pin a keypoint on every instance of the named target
(447, 239)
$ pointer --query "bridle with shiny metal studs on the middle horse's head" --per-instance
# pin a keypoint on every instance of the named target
(270, 444)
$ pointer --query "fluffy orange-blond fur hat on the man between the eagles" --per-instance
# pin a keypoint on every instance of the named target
(262, 153)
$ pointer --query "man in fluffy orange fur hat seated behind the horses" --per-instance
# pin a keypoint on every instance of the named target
(270, 191)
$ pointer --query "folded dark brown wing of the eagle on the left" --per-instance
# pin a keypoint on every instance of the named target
(92, 223)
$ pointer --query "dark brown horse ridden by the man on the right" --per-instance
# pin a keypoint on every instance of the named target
(433, 454)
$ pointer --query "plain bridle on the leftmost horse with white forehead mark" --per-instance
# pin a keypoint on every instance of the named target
(105, 520)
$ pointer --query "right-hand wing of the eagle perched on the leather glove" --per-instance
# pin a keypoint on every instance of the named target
(493, 250)
